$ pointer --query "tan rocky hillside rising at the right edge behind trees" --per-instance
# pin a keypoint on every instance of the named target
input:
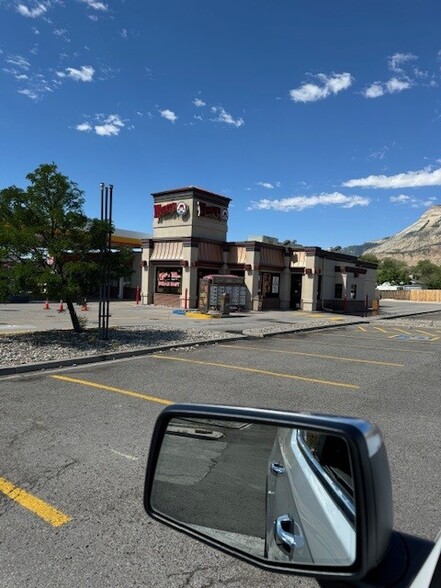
(422, 240)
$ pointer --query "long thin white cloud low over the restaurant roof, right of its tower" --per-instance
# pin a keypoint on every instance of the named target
(298, 203)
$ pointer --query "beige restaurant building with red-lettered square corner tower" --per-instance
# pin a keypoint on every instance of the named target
(189, 242)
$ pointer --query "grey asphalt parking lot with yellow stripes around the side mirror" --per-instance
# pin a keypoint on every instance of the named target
(77, 441)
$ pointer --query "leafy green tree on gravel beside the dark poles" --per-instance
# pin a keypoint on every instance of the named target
(47, 243)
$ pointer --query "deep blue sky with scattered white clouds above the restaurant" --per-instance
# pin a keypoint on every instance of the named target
(320, 119)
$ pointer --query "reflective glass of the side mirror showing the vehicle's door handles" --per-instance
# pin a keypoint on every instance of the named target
(276, 493)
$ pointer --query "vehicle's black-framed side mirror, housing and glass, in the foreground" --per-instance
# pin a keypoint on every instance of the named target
(301, 493)
